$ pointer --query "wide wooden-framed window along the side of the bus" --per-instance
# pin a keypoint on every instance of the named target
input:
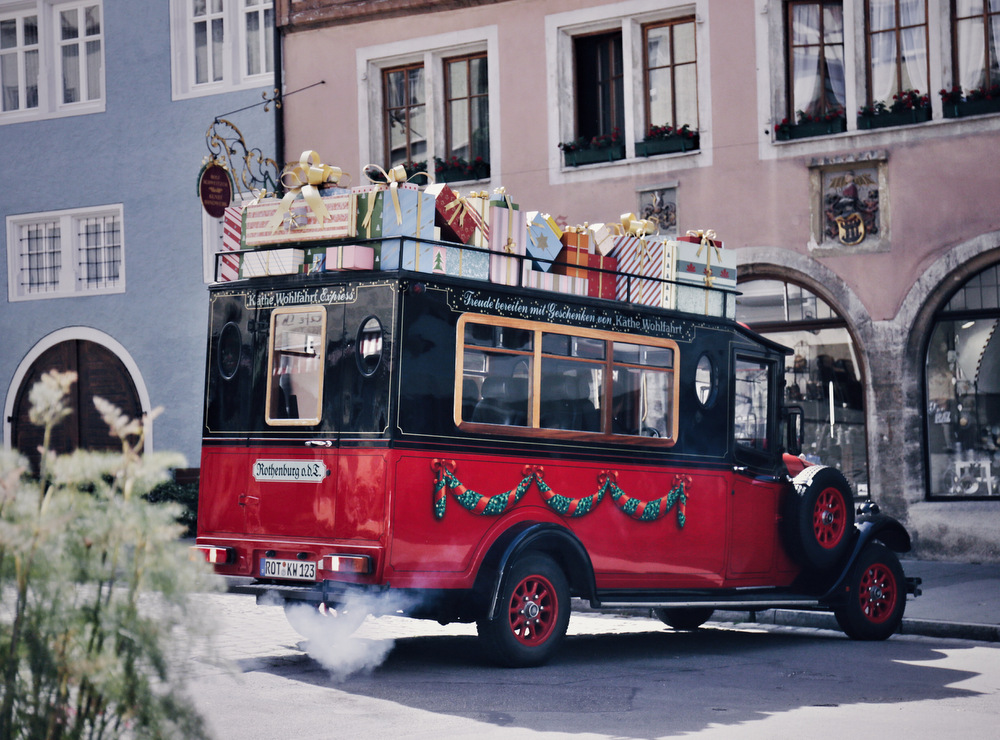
(557, 379)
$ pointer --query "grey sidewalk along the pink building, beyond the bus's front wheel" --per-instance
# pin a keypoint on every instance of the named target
(958, 600)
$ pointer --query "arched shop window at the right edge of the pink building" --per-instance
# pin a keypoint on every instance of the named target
(962, 388)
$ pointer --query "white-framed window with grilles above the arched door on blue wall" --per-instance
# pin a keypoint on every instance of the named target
(63, 253)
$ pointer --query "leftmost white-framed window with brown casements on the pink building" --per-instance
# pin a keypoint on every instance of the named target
(429, 99)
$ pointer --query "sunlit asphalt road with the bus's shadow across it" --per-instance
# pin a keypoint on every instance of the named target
(614, 678)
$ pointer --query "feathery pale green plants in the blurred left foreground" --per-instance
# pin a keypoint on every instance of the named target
(96, 607)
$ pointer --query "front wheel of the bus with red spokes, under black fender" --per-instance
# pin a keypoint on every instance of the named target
(876, 595)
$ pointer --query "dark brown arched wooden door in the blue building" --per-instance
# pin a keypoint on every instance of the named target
(99, 373)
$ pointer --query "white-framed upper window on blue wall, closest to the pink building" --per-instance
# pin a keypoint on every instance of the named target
(221, 45)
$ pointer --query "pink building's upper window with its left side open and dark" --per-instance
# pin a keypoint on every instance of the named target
(631, 66)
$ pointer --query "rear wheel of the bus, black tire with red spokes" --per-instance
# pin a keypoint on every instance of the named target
(533, 615)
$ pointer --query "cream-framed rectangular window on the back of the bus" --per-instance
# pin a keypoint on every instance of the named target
(295, 378)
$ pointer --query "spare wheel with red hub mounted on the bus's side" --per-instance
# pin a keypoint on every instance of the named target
(820, 519)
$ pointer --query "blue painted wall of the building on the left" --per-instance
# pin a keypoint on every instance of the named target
(145, 151)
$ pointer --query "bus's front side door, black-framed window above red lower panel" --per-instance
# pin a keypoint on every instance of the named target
(756, 490)
